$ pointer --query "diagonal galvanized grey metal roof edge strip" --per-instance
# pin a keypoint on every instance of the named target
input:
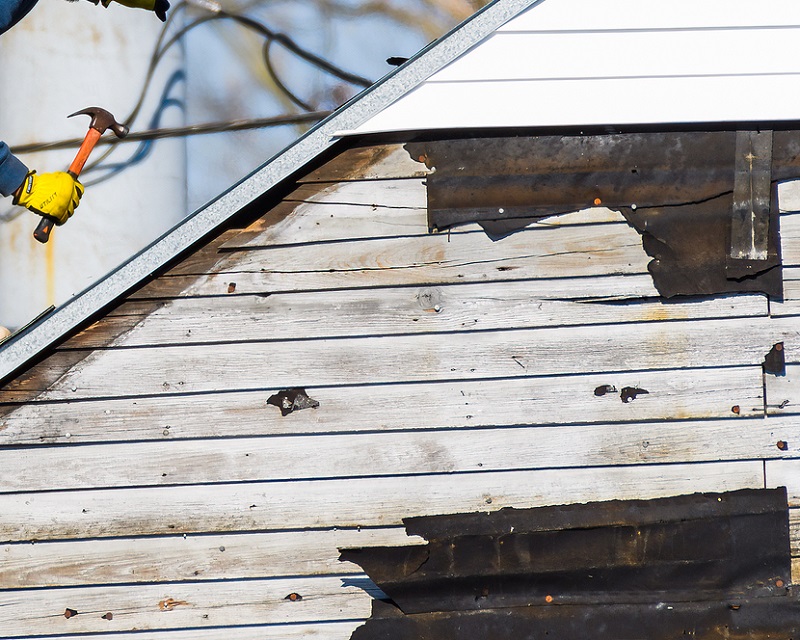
(21, 350)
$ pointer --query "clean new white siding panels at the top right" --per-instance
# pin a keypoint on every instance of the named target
(616, 62)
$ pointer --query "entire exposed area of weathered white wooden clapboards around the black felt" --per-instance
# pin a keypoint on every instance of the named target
(190, 465)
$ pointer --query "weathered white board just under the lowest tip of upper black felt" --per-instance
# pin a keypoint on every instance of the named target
(406, 310)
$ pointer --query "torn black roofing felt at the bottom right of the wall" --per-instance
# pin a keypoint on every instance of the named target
(618, 569)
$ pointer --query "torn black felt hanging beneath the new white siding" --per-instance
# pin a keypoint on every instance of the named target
(704, 202)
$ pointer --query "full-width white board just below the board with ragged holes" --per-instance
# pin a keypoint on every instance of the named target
(393, 454)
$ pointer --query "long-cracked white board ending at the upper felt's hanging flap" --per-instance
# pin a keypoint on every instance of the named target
(539, 252)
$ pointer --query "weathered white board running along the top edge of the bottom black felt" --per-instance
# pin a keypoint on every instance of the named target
(263, 506)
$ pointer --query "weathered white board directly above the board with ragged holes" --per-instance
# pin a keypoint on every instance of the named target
(426, 357)
